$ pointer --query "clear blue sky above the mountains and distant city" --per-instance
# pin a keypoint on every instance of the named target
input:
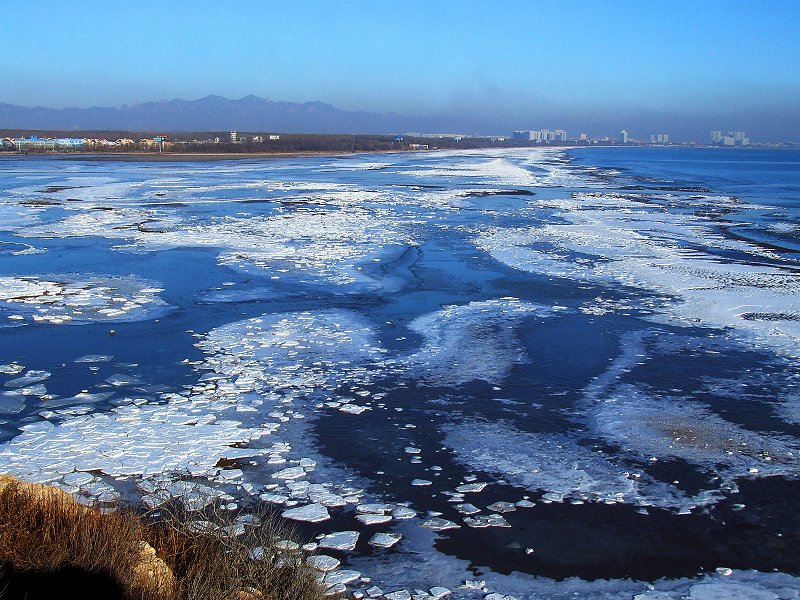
(728, 64)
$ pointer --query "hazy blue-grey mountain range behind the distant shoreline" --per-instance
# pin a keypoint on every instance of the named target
(214, 113)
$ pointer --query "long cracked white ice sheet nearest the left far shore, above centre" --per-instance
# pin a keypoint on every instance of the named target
(327, 243)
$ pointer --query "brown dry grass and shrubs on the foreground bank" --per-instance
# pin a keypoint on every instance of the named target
(43, 530)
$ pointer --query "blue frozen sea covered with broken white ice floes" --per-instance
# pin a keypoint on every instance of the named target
(531, 373)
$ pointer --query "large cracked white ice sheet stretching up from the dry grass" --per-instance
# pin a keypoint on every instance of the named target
(269, 355)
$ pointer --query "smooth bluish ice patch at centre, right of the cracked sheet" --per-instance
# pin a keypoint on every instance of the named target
(471, 341)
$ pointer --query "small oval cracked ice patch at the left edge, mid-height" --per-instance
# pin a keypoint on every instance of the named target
(80, 299)
